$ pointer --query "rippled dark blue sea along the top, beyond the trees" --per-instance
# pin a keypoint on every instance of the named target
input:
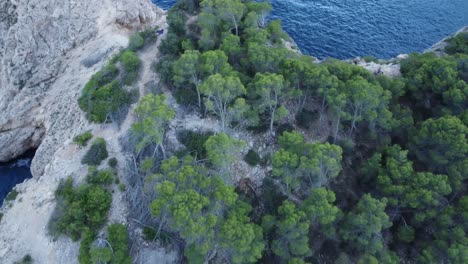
(382, 28)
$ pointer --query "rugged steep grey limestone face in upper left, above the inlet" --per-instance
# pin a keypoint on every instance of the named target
(41, 45)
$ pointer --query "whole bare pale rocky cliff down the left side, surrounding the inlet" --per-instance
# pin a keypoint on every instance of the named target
(48, 51)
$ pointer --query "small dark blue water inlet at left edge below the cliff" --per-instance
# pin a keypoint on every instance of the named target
(13, 173)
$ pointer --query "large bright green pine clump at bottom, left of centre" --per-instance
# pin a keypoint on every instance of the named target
(206, 213)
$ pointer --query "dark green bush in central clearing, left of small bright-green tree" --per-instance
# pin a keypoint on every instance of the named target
(194, 142)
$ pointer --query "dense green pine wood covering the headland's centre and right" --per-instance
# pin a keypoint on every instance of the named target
(387, 184)
